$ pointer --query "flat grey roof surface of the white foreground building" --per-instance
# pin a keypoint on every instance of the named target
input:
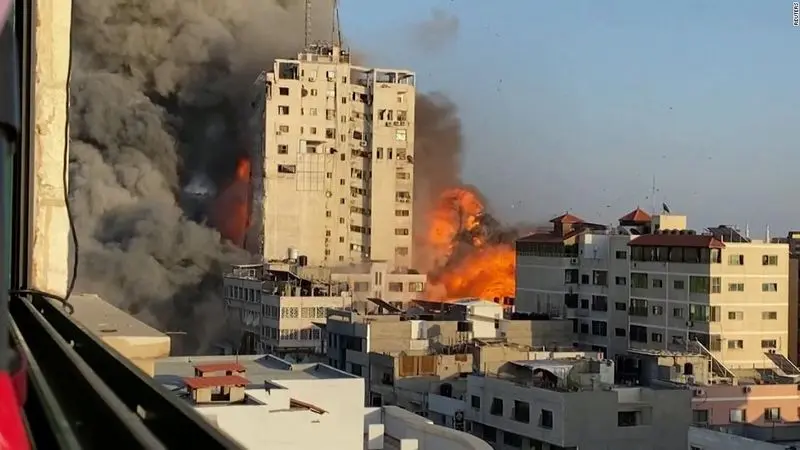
(258, 369)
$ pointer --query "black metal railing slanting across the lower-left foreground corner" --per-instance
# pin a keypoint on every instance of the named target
(83, 394)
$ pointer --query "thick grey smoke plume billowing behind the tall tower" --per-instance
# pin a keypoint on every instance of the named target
(158, 94)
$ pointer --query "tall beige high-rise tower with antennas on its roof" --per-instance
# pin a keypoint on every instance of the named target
(333, 165)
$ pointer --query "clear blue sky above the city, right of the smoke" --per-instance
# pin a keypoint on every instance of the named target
(578, 104)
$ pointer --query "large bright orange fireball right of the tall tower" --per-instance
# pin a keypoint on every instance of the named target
(470, 264)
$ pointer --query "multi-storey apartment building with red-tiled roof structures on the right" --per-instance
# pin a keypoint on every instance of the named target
(651, 283)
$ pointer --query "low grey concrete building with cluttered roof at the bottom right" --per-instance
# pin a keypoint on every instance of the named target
(573, 403)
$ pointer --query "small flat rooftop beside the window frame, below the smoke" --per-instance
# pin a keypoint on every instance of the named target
(104, 319)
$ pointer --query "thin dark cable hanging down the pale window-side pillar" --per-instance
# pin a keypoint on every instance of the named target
(68, 205)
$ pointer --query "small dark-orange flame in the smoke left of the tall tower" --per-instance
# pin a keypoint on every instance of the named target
(231, 209)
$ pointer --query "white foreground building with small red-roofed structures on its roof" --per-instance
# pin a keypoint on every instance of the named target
(265, 402)
